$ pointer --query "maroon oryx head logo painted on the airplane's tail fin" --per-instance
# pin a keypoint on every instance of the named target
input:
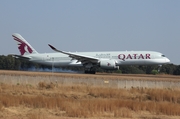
(23, 47)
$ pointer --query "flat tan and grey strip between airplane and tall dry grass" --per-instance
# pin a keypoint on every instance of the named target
(97, 80)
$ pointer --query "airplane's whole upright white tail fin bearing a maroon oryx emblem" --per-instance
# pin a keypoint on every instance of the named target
(24, 47)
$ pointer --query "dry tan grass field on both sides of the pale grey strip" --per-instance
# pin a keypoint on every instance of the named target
(51, 100)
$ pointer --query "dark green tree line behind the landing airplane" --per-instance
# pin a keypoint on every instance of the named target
(10, 63)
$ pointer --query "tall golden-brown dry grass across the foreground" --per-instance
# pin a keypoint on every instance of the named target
(83, 101)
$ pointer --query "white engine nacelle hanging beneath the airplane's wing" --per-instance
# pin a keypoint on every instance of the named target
(108, 64)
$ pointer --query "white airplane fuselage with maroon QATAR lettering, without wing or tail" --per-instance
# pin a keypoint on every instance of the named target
(120, 57)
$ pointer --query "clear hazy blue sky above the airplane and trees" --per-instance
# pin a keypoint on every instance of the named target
(92, 25)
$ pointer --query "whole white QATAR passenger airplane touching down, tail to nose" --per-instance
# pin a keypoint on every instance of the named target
(89, 60)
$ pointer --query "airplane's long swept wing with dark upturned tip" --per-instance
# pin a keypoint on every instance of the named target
(79, 57)
